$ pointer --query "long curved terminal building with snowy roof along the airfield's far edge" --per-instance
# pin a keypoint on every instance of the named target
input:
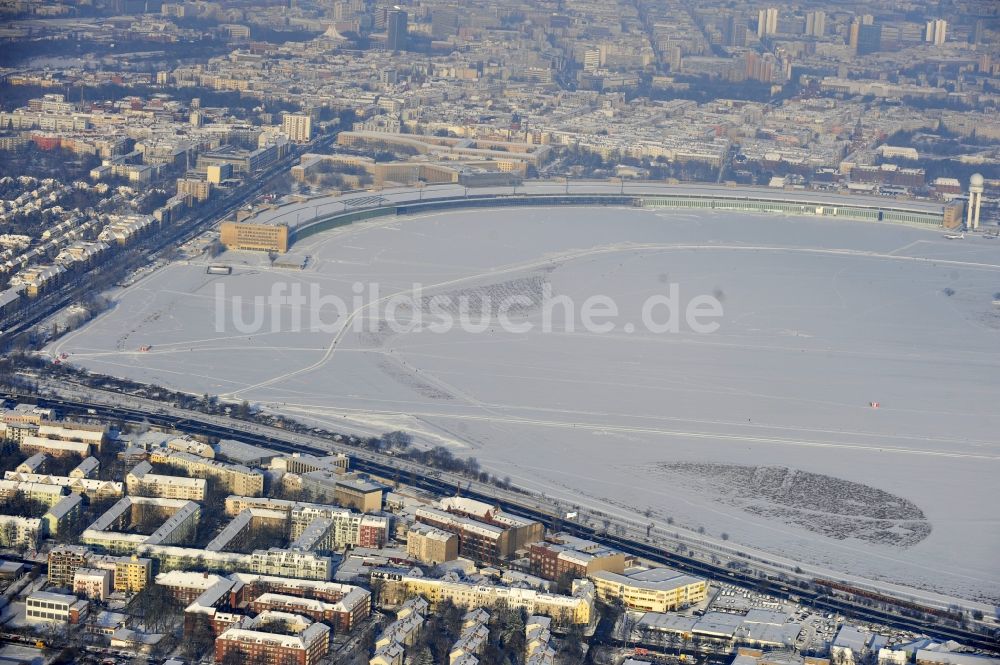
(321, 214)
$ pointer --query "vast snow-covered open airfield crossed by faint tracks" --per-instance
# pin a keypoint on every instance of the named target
(762, 430)
